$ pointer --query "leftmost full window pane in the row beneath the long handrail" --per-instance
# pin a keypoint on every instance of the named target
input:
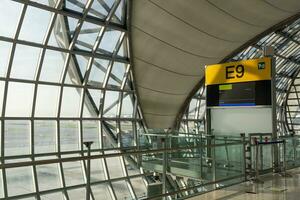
(19, 180)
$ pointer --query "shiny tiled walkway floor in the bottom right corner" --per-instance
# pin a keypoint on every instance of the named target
(275, 187)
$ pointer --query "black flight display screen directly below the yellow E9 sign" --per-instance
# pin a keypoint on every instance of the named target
(239, 94)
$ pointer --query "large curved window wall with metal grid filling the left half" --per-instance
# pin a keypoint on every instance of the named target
(65, 78)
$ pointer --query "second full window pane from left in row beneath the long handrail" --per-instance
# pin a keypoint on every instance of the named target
(48, 177)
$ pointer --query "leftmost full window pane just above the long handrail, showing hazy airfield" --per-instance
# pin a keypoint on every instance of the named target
(17, 137)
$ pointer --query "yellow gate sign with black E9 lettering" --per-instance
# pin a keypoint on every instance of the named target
(236, 72)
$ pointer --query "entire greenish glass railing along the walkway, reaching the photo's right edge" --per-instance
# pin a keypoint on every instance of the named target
(209, 162)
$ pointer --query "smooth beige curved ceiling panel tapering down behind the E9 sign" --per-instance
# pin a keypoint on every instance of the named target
(172, 41)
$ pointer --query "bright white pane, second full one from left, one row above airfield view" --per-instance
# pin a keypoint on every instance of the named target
(47, 101)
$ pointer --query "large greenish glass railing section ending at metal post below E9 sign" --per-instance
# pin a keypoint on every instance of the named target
(209, 159)
